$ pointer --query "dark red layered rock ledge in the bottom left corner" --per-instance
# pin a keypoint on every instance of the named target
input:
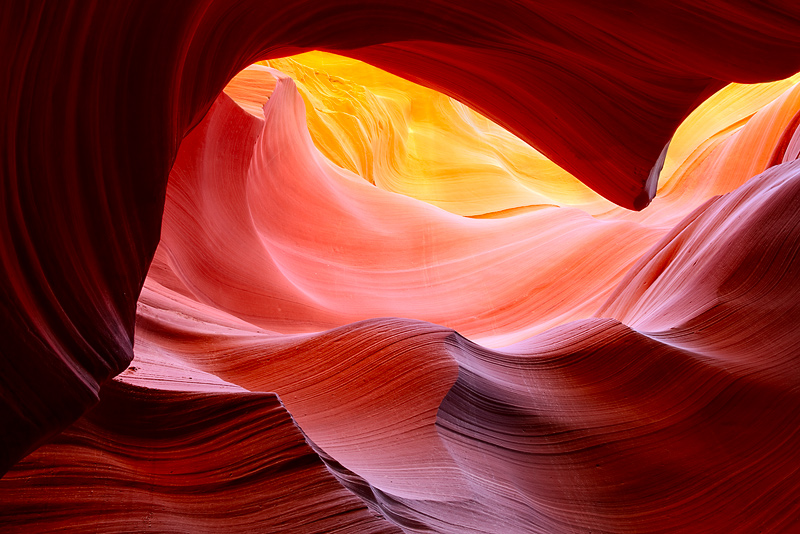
(146, 460)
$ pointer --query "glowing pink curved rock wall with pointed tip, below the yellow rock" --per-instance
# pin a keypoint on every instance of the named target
(260, 225)
